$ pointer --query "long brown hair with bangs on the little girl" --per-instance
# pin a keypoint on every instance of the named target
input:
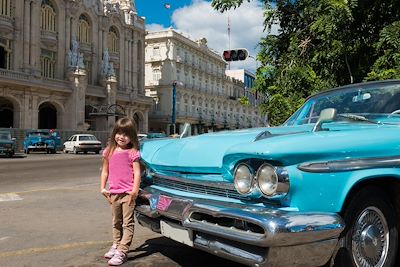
(128, 127)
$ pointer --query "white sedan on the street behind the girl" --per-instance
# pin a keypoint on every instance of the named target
(82, 143)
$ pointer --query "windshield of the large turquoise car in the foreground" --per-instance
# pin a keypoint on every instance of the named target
(377, 102)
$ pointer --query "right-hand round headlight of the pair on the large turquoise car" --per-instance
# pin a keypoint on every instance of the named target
(267, 179)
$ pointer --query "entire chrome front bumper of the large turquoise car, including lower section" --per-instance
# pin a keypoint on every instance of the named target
(281, 238)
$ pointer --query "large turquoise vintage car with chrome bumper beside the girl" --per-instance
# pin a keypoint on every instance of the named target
(323, 188)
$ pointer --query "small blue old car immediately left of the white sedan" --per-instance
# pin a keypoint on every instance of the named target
(39, 140)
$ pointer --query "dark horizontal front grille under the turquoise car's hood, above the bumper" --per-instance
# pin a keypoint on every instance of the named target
(197, 187)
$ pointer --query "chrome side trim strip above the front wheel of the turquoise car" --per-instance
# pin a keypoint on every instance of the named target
(350, 164)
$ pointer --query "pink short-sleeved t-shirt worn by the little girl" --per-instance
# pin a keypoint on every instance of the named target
(120, 170)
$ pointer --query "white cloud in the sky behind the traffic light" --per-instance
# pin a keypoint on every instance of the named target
(246, 27)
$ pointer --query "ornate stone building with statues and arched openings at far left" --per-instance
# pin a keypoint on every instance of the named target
(71, 64)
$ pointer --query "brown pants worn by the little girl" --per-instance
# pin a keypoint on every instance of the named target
(123, 221)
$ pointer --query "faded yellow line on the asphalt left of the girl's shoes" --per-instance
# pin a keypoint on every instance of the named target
(47, 249)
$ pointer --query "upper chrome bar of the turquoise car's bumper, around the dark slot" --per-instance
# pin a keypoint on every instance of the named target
(282, 228)
